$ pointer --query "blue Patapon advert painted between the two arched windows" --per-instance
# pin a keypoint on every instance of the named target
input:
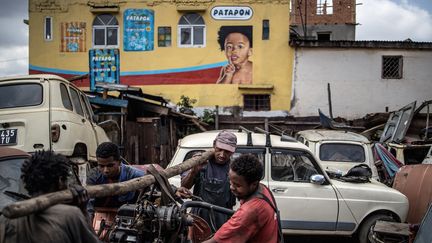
(138, 28)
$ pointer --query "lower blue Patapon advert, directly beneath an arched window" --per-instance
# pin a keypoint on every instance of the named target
(104, 66)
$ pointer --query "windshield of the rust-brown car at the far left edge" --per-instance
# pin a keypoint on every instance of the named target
(10, 172)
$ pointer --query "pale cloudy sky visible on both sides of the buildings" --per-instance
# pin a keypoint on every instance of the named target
(377, 20)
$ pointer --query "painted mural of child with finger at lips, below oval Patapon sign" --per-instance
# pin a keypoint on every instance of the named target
(236, 43)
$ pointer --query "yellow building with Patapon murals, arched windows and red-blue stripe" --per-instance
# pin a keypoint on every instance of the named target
(170, 48)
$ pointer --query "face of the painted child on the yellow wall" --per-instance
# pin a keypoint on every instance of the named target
(237, 48)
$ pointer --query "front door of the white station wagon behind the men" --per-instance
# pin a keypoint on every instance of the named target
(302, 204)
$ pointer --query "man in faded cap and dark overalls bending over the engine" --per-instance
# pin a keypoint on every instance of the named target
(211, 181)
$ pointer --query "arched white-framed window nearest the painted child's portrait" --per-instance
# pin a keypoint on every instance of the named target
(191, 31)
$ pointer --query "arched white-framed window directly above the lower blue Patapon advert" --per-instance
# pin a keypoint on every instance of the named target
(105, 31)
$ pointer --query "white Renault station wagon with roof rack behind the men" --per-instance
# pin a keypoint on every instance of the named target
(310, 202)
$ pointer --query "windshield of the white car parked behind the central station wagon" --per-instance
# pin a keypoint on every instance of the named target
(340, 152)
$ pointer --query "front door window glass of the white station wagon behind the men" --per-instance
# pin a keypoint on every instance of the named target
(290, 165)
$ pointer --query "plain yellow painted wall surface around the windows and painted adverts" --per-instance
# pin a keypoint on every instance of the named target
(272, 59)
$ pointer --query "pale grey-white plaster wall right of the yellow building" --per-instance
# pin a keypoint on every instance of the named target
(355, 79)
